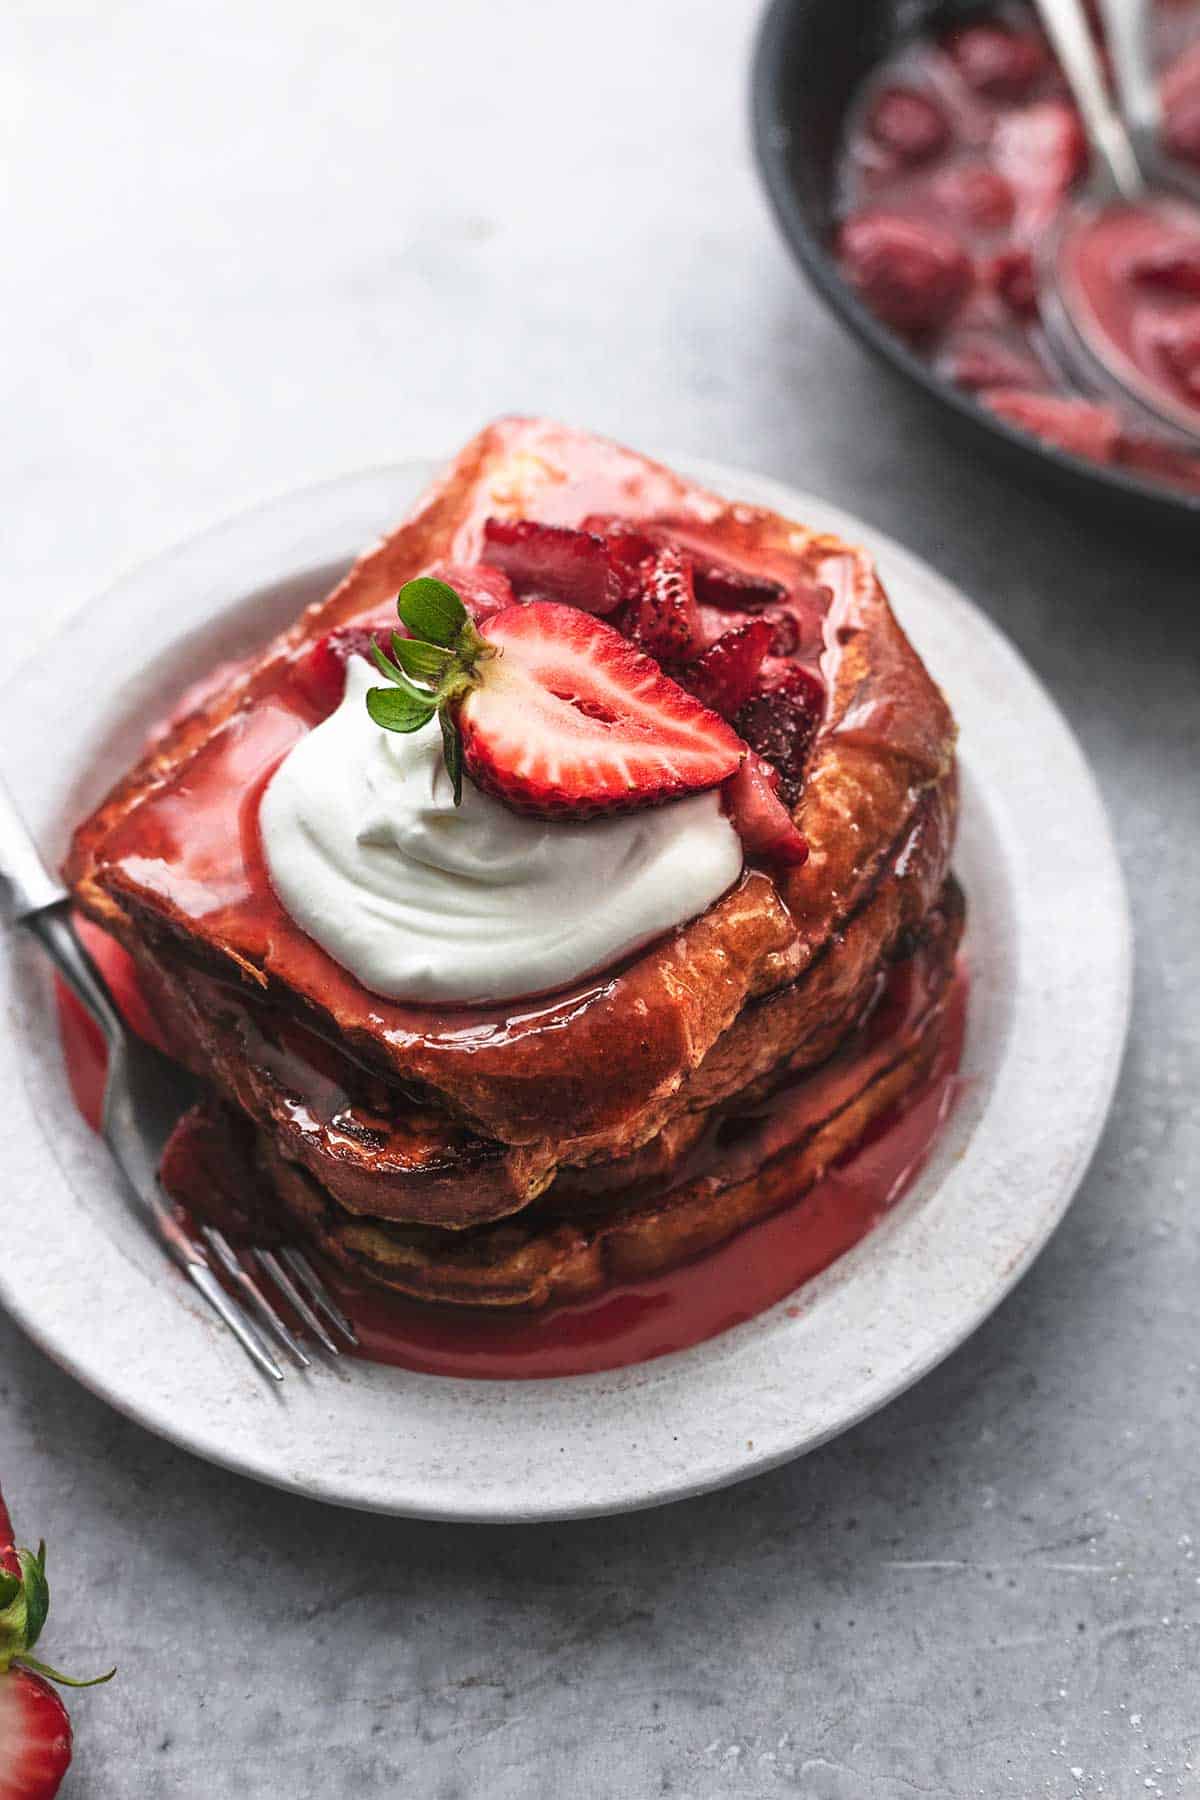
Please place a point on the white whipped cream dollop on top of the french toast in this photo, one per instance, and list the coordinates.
(433, 903)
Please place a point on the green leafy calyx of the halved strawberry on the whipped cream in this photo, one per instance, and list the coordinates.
(431, 670)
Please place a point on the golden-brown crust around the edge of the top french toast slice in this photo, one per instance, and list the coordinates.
(604, 1066)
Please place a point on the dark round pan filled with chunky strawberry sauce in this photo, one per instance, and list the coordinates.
(922, 163)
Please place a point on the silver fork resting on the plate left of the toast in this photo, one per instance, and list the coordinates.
(145, 1099)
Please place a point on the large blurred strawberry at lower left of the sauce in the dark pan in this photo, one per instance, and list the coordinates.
(913, 276)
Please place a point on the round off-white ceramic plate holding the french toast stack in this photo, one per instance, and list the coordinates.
(1050, 953)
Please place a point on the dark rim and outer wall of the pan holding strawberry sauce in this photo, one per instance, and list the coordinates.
(810, 58)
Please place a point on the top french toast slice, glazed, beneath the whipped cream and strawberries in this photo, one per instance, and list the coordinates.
(170, 865)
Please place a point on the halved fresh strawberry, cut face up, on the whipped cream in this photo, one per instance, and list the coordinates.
(571, 721)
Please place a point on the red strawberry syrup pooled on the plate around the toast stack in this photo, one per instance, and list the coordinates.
(627, 1322)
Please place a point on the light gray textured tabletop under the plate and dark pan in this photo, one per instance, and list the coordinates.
(256, 244)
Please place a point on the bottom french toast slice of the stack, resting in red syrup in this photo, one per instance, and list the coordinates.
(737, 1164)
